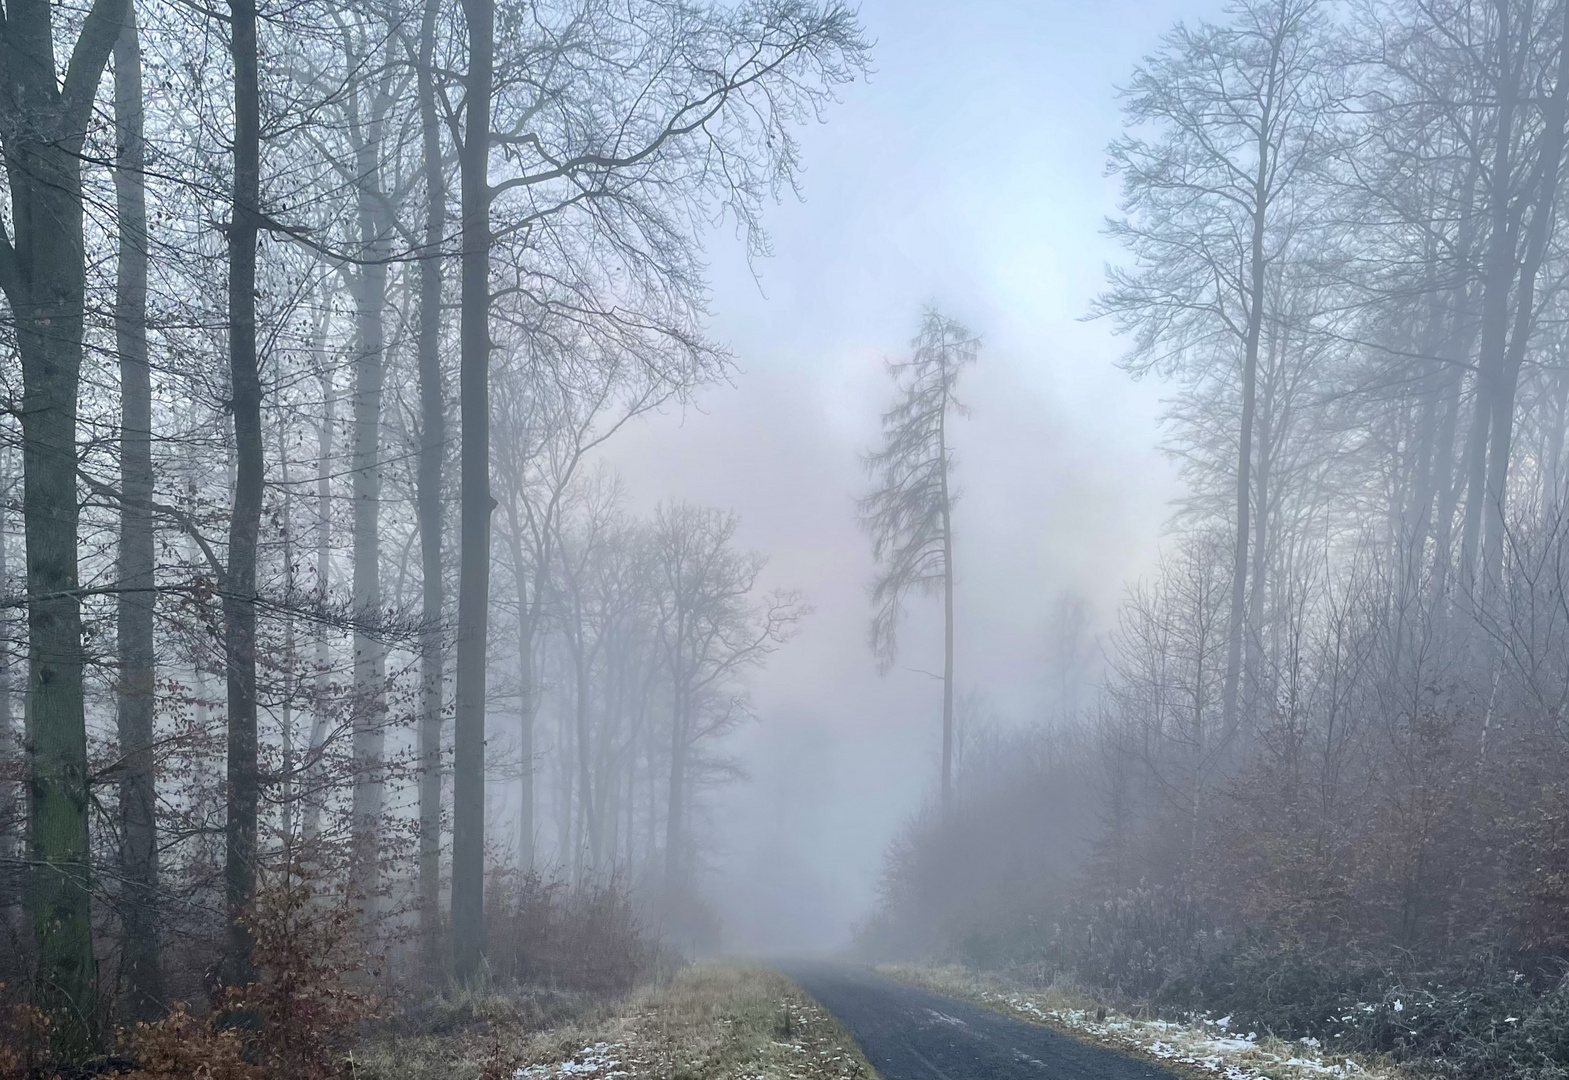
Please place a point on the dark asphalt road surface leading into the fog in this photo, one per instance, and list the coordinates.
(914, 1035)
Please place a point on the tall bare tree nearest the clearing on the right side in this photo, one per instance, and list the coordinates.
(1239, 114)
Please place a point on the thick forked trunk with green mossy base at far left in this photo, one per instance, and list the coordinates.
(43, 272)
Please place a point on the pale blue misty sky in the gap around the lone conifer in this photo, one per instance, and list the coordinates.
(969, 172)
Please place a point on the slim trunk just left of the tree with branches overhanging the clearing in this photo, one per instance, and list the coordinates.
(432, 450)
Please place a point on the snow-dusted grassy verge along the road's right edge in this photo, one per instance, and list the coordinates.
(1200, 1048)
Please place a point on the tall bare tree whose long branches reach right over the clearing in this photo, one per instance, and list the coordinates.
(699, 101)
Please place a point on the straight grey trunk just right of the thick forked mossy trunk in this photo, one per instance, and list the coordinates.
(139, 853)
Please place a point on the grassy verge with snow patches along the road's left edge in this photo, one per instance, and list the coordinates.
(708, 1023)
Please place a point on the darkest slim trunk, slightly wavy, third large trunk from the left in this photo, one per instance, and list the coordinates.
(239, 593)
